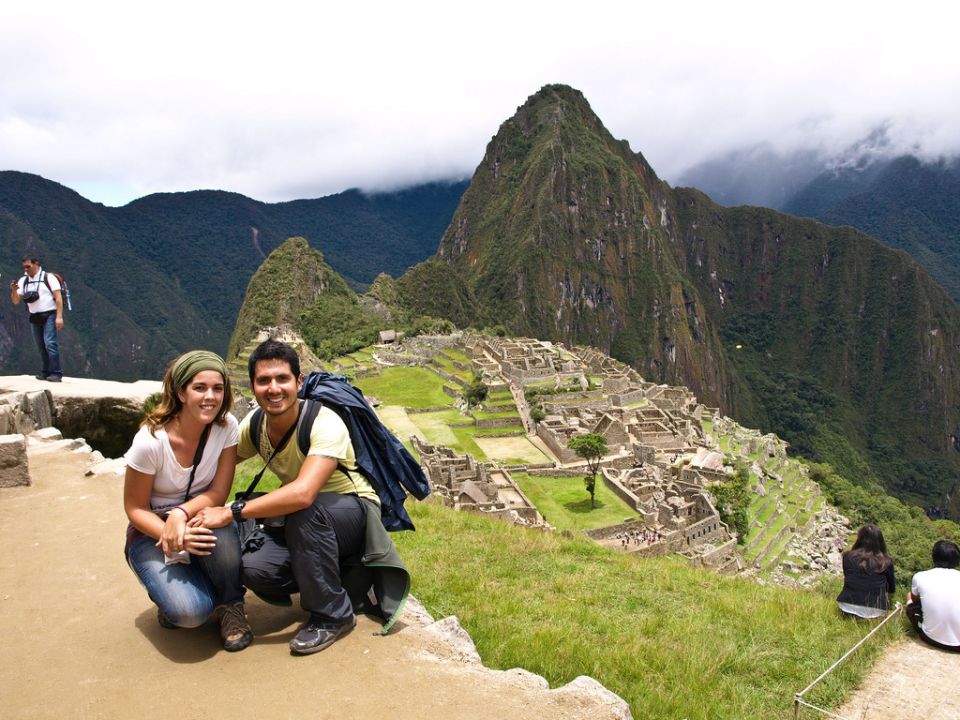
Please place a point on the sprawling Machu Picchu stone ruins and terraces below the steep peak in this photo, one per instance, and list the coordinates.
(665, 451)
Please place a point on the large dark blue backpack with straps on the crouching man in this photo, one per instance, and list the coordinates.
(381, 458)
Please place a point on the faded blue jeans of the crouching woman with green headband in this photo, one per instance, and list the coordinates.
(187, 594)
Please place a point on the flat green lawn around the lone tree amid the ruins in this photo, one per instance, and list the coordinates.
(566, 504)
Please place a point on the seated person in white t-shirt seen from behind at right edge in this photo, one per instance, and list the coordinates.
(933, 606)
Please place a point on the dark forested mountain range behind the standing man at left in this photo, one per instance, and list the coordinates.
(167, 272)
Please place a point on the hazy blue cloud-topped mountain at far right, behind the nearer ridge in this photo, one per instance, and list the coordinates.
(907, 204)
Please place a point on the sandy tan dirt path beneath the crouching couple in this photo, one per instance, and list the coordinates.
(80, 637)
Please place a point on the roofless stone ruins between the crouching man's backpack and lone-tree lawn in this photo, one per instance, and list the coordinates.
(465, 484)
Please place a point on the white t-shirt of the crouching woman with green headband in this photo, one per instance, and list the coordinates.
(151, 454)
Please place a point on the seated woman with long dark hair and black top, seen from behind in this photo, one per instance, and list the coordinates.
(867, 575)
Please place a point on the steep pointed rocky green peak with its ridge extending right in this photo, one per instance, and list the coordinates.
(840, 345)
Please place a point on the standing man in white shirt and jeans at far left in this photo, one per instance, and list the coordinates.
(41, 292)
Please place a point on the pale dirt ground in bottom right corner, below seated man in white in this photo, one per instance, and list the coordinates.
(911, 680)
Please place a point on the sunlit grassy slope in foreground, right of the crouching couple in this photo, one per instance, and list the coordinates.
(673, 641)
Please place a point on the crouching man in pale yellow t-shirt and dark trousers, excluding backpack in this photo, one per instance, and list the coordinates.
(331, 546)
